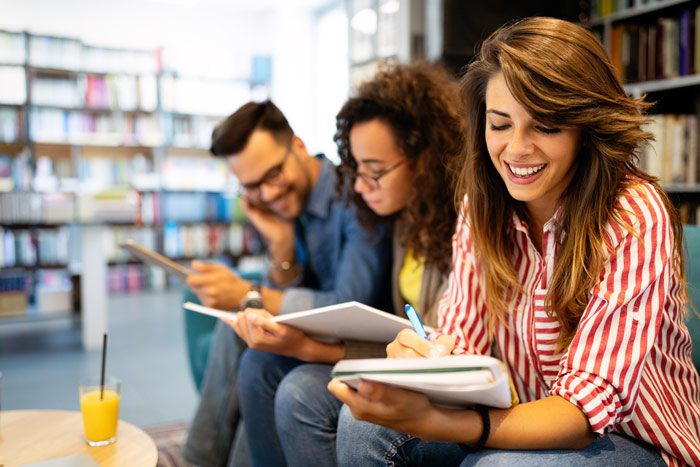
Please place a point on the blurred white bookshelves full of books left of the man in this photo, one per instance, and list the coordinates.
(98, 145)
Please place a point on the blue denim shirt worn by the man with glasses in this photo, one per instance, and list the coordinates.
(344, 262)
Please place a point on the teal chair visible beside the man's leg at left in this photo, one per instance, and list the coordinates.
(198, 333)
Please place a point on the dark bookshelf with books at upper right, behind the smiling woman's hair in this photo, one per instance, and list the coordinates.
(655, 49)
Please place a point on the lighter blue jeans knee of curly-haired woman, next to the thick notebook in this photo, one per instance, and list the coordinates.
(307, 416)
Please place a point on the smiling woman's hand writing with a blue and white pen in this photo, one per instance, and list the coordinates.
(415, 343)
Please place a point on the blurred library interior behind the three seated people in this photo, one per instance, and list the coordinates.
(106, 111)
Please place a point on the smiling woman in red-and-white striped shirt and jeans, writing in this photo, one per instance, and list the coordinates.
(567, 265)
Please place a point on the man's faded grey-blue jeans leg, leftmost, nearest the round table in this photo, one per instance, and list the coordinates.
(210, 441)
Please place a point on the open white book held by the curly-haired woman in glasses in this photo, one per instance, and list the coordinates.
(349, 320)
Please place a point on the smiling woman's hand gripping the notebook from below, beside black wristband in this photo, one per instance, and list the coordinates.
(401, 410)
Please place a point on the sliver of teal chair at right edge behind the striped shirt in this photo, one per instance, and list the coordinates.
(692, 244)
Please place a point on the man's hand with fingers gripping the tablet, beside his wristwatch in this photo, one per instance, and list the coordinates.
(217, 286)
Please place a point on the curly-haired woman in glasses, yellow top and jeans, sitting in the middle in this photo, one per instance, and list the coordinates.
(398, 140)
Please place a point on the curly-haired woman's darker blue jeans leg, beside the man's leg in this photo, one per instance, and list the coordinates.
(259, 375)
